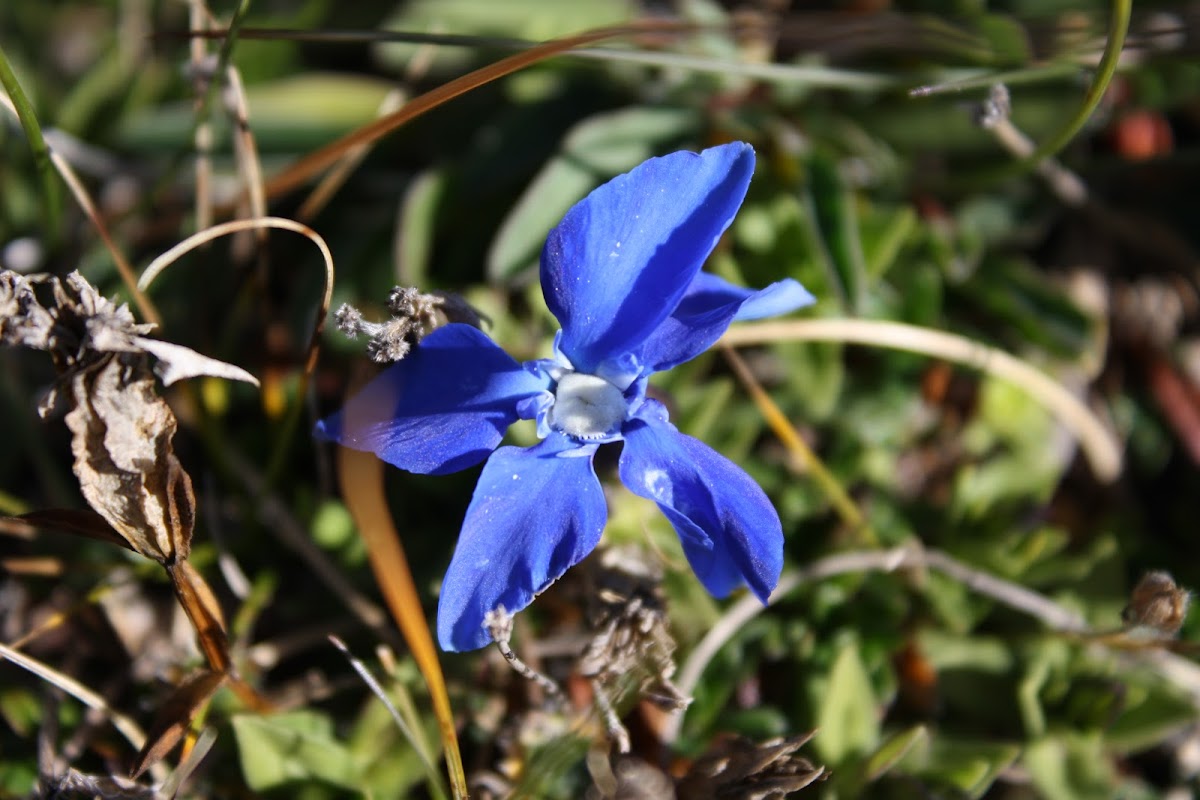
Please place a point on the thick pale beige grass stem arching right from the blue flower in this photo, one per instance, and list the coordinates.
(1100, 446)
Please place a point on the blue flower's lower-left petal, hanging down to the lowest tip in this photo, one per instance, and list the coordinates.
(536, 514)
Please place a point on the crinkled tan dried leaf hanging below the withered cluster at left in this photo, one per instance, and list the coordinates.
(124, 460)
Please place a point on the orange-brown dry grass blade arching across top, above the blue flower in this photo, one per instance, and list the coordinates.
(327, 157)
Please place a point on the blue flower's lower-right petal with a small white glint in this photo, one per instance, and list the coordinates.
(730, 531)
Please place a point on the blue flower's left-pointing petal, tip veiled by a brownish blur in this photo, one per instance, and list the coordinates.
(441, 410)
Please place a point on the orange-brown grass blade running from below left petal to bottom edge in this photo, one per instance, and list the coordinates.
(362, 479)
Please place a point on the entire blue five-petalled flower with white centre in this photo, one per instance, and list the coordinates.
(622, 273)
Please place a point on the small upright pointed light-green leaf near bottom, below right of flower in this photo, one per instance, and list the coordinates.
(848, 714)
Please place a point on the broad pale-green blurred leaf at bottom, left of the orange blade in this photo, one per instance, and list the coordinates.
(297, 747)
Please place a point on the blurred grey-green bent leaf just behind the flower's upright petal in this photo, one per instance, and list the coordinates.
(596, 151)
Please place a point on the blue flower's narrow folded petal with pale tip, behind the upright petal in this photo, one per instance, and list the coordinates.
(706, 312)
